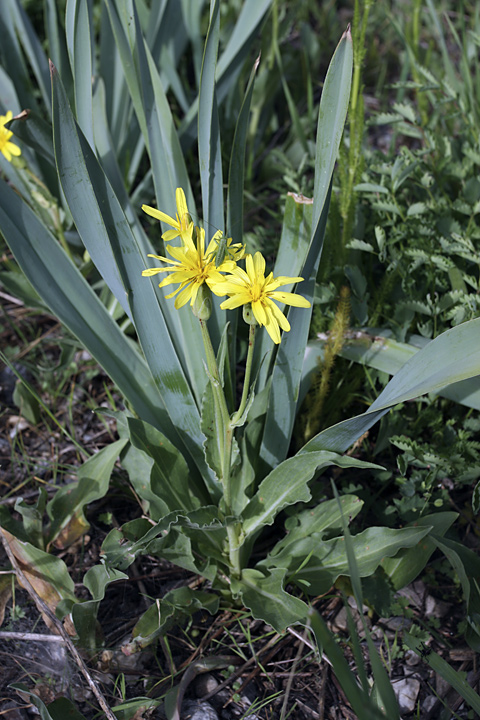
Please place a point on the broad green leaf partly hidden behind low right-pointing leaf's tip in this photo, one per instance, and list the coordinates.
(408, 564)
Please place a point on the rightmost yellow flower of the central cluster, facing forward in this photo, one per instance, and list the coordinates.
(252, 287)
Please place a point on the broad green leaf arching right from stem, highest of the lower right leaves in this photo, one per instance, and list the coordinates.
(288, 484)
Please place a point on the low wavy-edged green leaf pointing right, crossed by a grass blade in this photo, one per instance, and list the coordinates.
(329, 559)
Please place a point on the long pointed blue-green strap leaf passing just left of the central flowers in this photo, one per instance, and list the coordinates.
(105, 231)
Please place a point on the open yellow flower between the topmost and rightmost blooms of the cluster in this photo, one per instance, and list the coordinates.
(191, 267)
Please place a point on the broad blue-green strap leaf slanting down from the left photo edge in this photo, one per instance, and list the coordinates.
(70, 298)
